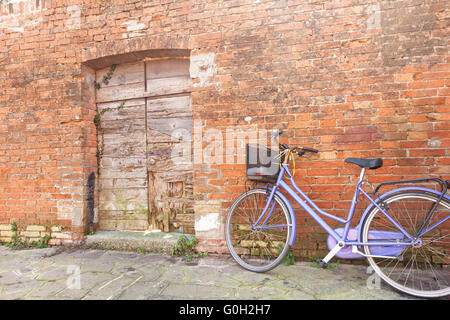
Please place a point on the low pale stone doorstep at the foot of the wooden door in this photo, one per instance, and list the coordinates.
(137, 241)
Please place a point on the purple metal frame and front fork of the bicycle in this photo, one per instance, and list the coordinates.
(313, 210)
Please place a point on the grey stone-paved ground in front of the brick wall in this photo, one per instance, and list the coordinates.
(63, 273)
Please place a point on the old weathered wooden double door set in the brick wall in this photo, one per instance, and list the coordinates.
(145, 120)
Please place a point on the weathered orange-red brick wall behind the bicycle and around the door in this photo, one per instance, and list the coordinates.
(350, 78)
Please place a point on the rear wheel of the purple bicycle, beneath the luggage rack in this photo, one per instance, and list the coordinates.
(422, 269)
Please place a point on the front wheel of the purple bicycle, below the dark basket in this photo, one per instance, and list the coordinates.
(261, 247)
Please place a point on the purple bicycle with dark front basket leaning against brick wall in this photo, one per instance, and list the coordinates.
(403, 233)
